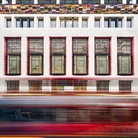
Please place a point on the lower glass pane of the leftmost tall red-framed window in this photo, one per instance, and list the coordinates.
(13, 65)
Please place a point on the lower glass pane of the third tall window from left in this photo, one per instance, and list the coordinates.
(58, 64)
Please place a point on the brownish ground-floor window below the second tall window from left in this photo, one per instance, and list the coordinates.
(34, 86)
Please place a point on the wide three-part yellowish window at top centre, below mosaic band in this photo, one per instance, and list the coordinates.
(69, 22)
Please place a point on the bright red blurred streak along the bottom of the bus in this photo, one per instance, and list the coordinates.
(124, 129)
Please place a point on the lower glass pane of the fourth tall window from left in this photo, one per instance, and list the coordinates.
(80, 66)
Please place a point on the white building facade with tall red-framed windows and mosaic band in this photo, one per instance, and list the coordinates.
(68, 46)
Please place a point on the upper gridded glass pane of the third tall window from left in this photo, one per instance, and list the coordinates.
(57, 45)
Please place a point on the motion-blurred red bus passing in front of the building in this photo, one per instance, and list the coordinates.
(69, 116)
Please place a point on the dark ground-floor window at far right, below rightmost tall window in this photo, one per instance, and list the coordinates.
(125, 86)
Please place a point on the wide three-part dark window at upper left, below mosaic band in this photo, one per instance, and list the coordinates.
(24, 22)
